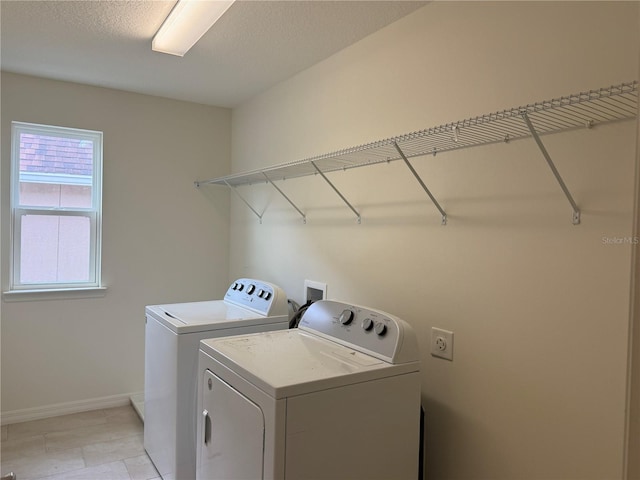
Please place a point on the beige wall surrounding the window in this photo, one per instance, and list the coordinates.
(163, 239)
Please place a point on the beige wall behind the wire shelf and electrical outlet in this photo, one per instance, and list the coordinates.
(539, 307)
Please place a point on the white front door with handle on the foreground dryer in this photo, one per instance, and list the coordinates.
(232, 440)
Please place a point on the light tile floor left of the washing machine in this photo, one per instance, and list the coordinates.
(97, 445)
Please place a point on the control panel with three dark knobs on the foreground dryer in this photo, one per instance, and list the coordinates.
(367, 330)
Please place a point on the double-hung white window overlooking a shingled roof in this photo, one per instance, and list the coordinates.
(56, 197)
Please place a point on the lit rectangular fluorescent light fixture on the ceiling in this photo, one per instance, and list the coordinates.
(186, 24)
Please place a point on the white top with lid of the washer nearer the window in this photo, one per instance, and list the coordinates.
(208, 315)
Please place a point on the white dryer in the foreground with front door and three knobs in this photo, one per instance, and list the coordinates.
(337, 398)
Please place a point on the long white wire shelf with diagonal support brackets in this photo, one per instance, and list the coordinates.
(580, 110)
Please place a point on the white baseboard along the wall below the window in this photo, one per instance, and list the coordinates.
(38, 413)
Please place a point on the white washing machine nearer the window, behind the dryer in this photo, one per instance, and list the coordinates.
(172, 335)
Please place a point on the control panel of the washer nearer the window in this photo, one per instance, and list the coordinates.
(257, 295)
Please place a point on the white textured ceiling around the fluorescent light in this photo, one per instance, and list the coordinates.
(255, 45)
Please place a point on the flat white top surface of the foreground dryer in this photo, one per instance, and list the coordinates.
(294, 362)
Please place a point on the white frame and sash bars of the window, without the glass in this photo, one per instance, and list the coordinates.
(94, 213)
